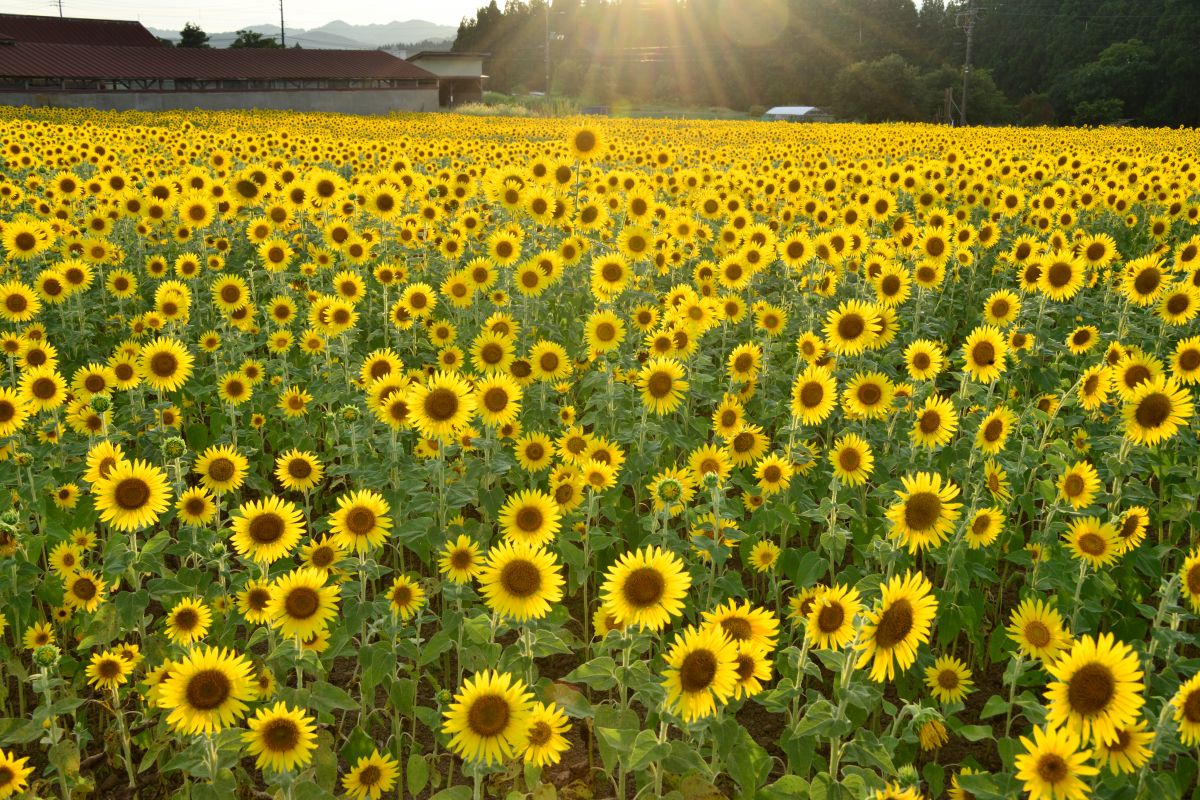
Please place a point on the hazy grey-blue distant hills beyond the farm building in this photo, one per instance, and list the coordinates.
(339, 35)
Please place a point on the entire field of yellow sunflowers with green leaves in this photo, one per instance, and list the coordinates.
(460, 458)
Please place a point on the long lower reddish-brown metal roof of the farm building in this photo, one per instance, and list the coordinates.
(77, 62)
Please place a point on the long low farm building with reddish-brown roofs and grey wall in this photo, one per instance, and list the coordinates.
(122, 67)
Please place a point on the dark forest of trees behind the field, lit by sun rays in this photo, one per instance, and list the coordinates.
(1036, 62)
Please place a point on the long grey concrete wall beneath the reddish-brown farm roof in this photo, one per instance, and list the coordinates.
(345, 101)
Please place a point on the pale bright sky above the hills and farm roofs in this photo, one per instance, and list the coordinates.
(217, 16)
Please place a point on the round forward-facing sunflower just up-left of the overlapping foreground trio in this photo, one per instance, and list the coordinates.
(646, 588)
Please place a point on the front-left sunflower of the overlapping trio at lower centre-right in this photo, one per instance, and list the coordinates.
(703, 671)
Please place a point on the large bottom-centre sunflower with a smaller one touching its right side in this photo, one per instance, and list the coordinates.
(489, 720)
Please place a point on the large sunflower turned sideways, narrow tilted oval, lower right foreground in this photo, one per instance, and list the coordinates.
(892, 635)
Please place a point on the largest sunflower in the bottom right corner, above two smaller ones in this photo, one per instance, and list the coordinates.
(1097, 689)
